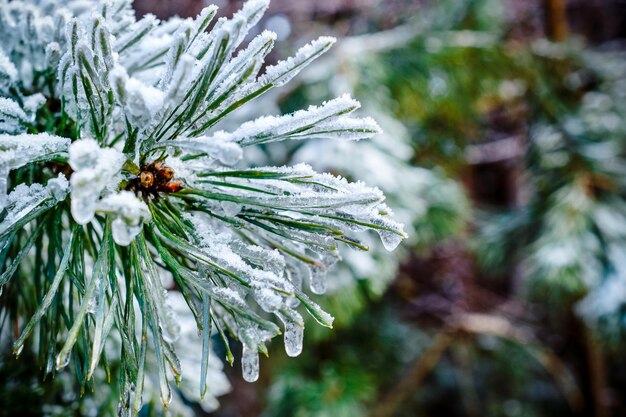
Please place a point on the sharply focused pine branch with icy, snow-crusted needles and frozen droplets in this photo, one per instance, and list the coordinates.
(112, 176)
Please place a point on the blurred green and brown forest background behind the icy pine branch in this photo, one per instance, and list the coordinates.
(504, 153)
